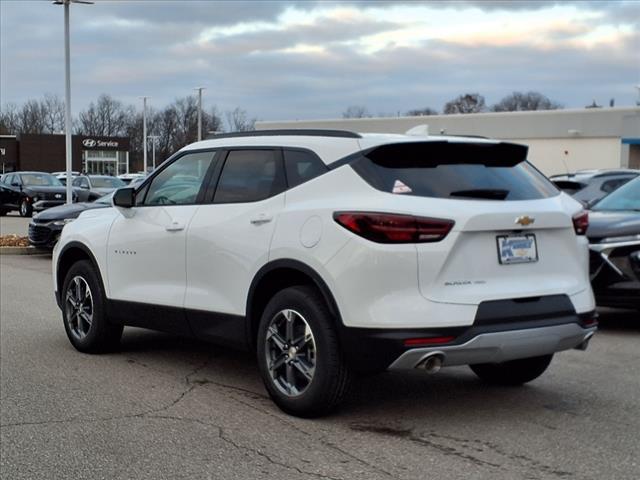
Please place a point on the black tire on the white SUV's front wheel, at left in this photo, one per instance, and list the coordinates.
(100, 335)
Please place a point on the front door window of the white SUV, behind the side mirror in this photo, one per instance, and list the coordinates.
(180, 182)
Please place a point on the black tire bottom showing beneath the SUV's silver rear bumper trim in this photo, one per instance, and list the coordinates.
(514, 372)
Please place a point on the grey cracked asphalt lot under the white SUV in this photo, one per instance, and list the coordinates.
(168, 407)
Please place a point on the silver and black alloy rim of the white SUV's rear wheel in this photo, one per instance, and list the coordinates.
(290, 350)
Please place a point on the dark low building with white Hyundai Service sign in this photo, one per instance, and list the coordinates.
(46, 153)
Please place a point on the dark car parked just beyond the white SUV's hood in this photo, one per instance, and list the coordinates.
(45, 227)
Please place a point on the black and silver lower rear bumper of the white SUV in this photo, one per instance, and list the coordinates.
(502, 330)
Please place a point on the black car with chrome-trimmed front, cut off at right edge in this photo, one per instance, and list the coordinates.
(614, 243)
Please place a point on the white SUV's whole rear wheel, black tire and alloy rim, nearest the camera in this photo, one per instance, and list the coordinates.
(299, 356)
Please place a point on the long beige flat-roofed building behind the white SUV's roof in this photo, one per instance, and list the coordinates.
(559, 141)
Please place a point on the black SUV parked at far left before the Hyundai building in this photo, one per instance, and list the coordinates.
(31, 191)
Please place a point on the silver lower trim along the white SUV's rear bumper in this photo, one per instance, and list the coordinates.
(501, 346)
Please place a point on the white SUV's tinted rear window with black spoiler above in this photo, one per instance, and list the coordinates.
(454, 170)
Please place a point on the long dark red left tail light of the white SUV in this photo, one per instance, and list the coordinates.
(393, 228)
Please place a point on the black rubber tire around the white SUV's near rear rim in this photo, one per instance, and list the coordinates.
(330, 379)
